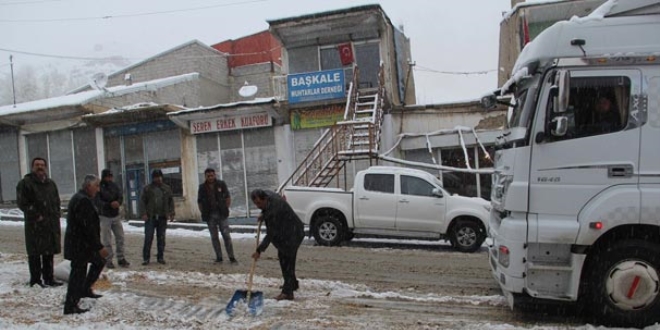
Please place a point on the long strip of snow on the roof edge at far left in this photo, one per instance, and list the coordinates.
(88, 96)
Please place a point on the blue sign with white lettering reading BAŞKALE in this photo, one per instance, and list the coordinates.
(315, 86)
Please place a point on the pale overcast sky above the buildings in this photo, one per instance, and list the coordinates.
(446, 35)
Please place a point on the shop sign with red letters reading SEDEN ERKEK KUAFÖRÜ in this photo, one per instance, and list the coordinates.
(229, 123)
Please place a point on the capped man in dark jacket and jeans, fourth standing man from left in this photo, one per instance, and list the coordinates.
(156, 206)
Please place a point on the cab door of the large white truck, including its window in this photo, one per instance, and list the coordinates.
(599, 152)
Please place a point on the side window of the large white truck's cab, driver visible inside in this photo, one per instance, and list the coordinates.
(597, 105)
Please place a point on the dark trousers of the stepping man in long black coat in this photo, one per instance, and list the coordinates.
(81, 281)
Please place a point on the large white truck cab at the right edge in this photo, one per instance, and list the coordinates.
(576, 189)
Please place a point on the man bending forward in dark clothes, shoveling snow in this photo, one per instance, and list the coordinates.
(285, 230)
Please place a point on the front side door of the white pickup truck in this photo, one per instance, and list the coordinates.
(417, 208)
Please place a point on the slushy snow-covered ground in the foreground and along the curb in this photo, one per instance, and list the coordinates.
(130, 303)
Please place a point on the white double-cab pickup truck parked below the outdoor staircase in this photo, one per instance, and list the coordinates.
(391, 202)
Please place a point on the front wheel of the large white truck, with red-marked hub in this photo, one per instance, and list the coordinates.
(623, 288)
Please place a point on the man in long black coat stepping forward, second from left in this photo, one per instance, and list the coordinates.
(82, 245)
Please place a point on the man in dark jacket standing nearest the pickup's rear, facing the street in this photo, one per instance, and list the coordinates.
(214, 200)
